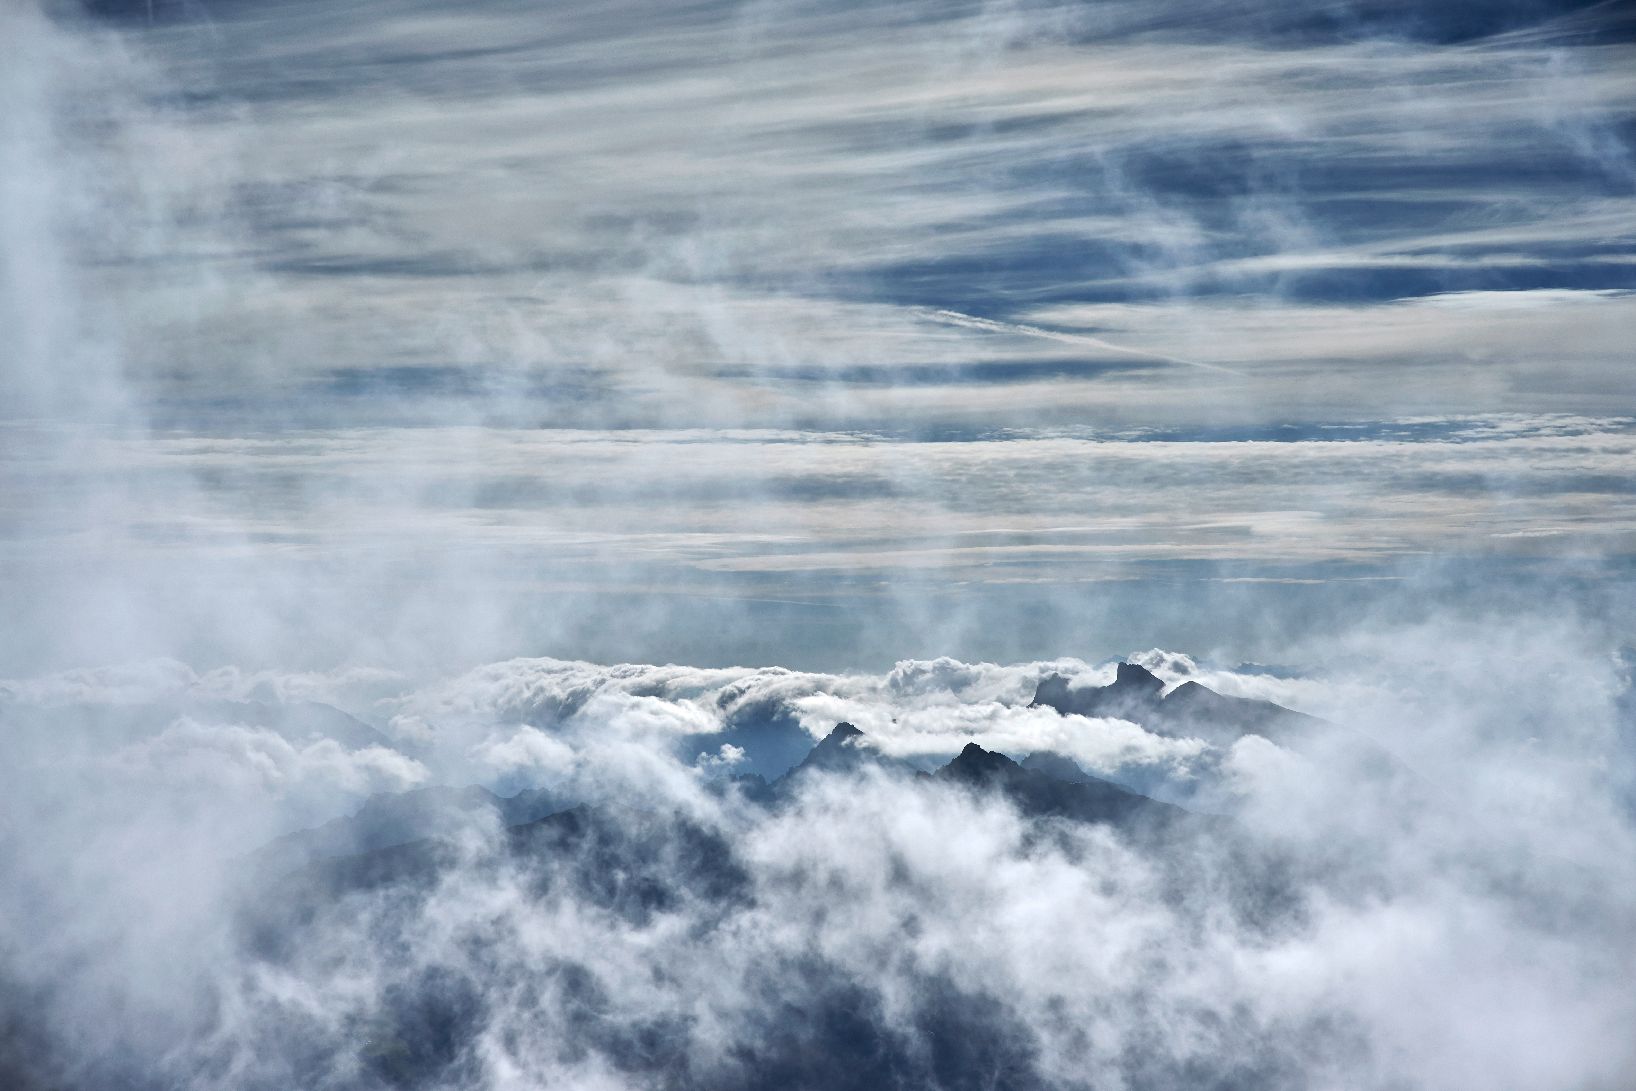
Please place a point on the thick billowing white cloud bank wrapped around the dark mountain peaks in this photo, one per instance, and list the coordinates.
(1414, 927)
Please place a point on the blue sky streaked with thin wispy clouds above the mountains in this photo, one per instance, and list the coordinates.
(809, 334)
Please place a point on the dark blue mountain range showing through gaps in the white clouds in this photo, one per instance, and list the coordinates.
(403, 856)
